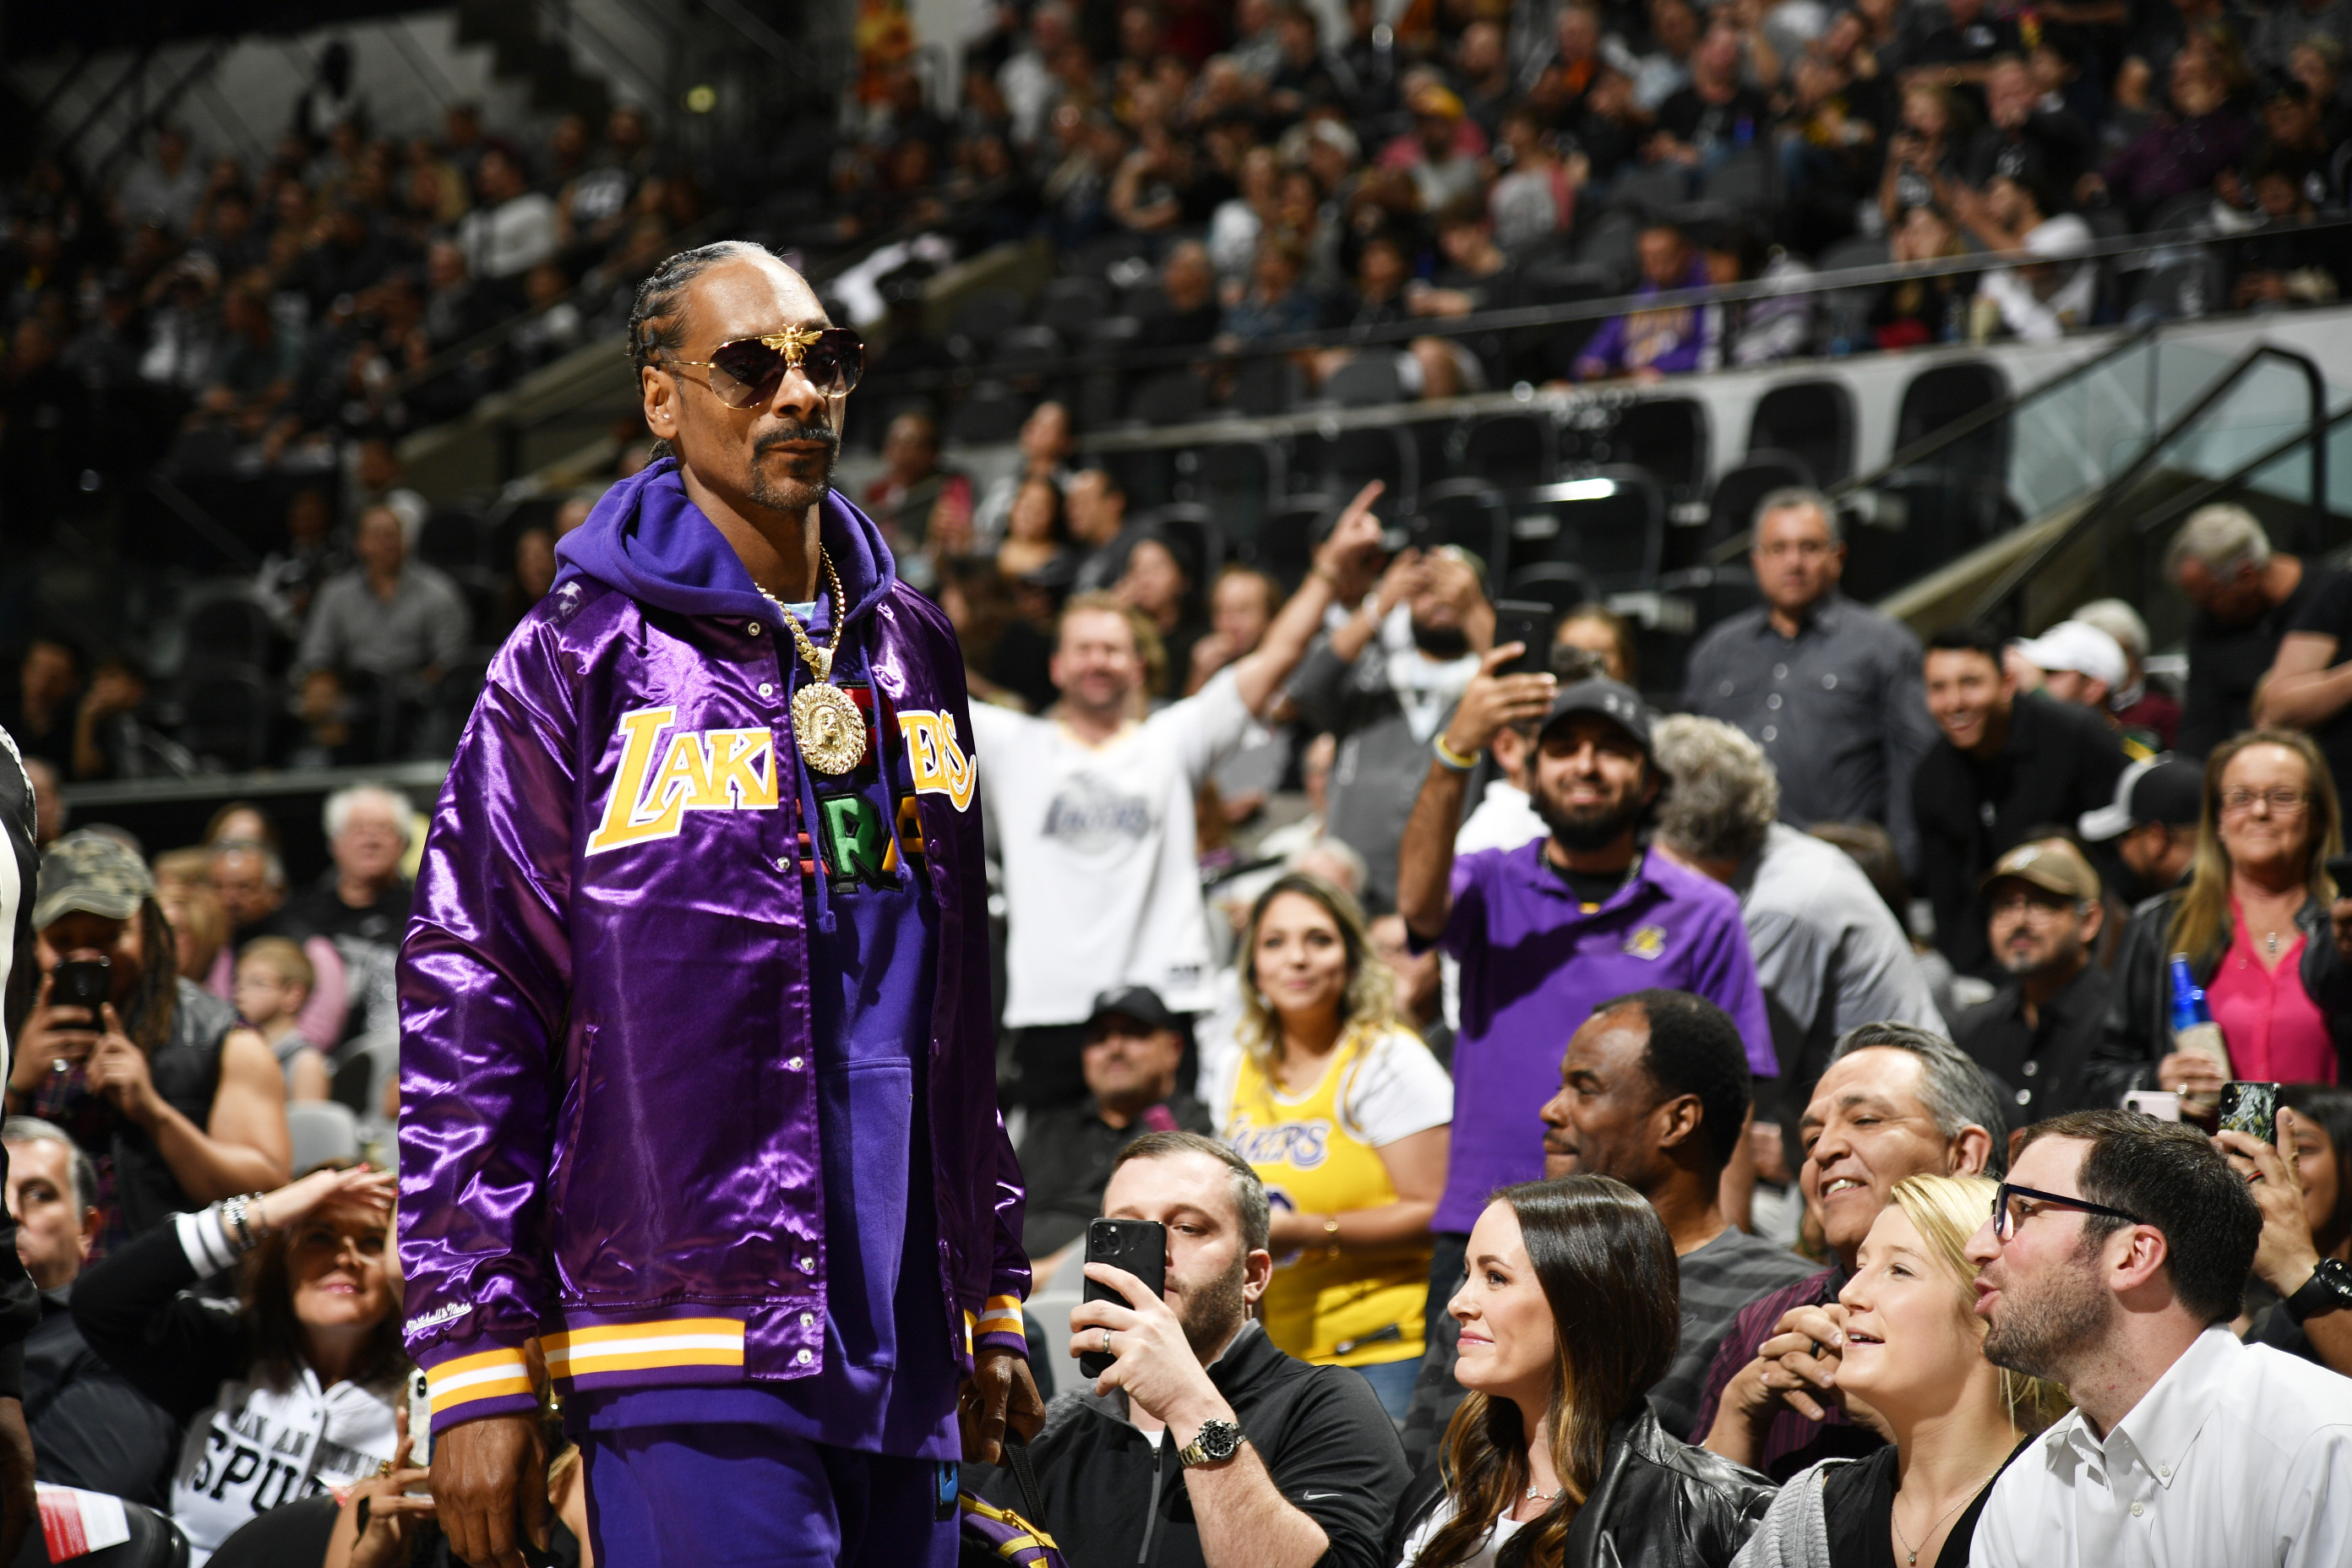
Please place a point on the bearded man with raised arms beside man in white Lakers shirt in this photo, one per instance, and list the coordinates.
(1384, 685)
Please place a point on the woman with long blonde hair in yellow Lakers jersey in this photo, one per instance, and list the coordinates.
(1344, 1115)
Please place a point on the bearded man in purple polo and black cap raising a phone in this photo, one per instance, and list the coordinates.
(1558, 927)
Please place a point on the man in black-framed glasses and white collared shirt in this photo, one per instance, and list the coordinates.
(2113, 1266)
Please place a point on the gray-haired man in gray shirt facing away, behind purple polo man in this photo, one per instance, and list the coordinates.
(1826, 946)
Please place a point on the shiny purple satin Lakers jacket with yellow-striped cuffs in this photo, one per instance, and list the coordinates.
(608, 1104)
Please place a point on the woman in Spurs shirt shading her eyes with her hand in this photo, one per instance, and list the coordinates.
(293, 1391)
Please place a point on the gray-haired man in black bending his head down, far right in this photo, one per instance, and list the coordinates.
(2247, 598)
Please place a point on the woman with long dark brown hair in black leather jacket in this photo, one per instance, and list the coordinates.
(1570, 1313)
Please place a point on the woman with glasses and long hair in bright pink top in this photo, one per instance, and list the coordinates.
(2264, 930)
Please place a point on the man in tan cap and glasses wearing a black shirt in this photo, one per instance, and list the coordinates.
(2038, 1031)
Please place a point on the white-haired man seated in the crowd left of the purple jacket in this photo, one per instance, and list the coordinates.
(363, 902)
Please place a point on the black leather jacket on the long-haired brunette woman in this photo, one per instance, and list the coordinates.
(1659, 1506)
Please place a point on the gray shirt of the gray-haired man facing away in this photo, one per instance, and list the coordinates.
(1829, 951)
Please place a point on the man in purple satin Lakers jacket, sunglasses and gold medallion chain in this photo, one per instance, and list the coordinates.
(697, 1071)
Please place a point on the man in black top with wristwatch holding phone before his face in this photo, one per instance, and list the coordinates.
(1205, 1447)
